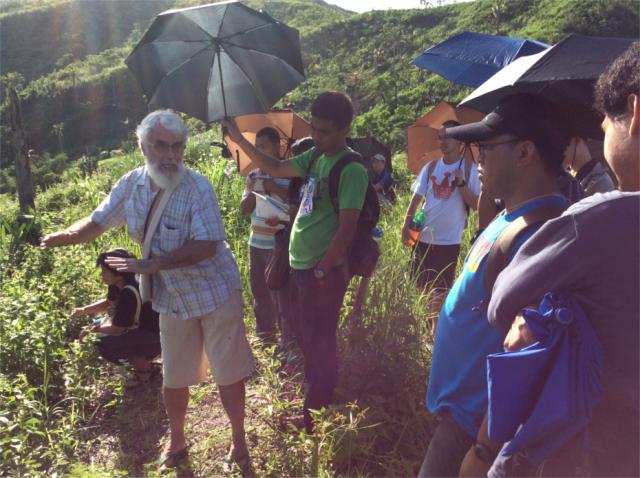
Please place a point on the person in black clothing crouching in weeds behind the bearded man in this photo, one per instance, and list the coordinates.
(130, 330)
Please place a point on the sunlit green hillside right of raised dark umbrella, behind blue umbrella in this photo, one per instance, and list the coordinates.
(368, 56)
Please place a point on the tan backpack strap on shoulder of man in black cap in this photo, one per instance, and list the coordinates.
(501, 250)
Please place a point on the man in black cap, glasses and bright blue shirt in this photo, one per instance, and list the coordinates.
(521, 145)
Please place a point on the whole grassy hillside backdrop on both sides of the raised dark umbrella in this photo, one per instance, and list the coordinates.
(85, 89)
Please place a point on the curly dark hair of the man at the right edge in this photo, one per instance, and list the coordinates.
(620, 80)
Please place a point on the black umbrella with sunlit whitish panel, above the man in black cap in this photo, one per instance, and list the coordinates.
(565, 74)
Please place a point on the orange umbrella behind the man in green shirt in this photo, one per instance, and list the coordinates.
(286, 122)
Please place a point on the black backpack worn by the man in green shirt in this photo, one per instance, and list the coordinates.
(363, 252)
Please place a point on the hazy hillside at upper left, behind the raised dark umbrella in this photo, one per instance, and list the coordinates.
(74, 73)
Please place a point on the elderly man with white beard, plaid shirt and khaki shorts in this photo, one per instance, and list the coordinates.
(194, 280)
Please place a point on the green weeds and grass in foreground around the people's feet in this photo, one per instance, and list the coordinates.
(64, 411)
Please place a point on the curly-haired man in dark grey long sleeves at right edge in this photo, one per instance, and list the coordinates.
(593, 252)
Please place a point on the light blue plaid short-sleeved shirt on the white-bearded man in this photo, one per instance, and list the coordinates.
(191, 213)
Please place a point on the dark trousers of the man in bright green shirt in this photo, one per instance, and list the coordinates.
(317, 308)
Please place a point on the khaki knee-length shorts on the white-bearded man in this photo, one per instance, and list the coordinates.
(217, 339)
